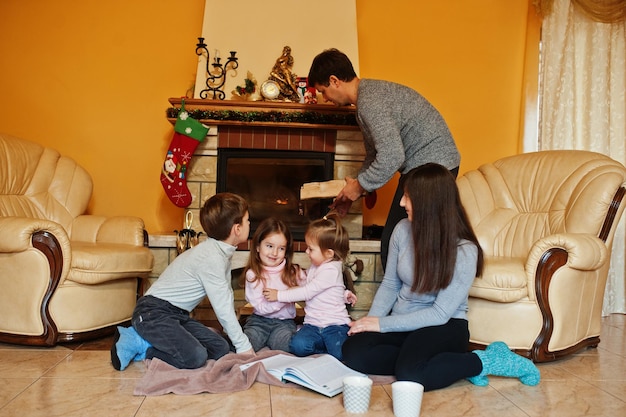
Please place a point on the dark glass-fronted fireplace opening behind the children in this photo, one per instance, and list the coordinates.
(270, 181)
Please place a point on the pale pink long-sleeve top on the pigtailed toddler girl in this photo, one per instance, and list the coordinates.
(324, 293)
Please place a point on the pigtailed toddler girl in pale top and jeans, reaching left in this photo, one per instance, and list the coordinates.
(326, 316)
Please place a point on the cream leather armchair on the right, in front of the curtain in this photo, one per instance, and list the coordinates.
(546, 222)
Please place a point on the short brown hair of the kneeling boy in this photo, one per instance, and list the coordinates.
(220, 212)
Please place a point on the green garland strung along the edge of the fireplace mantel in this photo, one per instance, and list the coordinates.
(273, 116)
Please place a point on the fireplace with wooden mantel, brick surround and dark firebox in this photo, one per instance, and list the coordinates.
(283, 135)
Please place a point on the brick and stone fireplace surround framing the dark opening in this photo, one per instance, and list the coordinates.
(344, 141)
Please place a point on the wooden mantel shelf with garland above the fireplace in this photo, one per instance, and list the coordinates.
(266, 113)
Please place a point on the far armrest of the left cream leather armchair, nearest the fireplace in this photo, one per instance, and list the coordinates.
(127, 230)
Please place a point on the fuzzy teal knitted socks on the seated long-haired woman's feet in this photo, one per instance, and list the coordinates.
(499, 360)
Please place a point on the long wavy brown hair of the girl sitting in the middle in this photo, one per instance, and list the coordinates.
(266, 228)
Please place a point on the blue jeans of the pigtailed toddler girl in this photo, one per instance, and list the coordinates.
(310, 340)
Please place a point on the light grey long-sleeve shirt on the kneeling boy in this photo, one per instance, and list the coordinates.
(203, 271)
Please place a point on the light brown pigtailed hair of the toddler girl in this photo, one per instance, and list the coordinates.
(328, 233)
